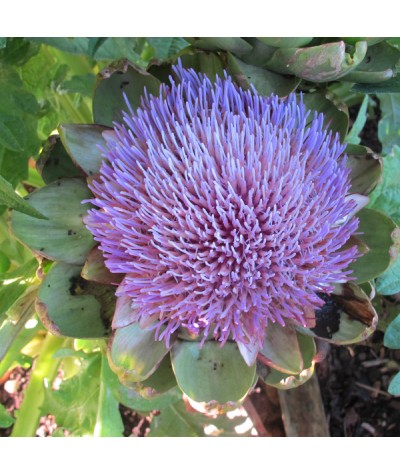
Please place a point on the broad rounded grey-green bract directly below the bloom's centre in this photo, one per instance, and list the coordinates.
(211, 373)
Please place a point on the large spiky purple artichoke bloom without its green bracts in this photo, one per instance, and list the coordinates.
(224, 209)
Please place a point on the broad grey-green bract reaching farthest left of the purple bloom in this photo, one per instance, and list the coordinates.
(63, 236)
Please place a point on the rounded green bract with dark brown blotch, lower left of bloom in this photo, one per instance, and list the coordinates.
(70, 306)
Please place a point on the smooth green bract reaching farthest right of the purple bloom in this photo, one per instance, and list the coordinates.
(379, 234)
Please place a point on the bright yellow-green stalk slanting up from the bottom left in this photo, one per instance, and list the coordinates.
(44, 371)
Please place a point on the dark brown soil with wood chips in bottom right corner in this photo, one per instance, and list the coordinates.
(354, 382)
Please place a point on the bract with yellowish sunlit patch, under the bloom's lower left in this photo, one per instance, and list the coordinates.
(135, 353)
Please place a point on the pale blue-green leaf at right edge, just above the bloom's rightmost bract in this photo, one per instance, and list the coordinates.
(386, 196)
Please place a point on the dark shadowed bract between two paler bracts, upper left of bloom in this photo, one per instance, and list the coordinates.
(55, 163)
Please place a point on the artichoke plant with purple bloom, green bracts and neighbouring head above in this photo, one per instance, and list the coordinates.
(212, 223)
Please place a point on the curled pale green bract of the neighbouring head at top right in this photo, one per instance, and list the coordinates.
(326, 62)
